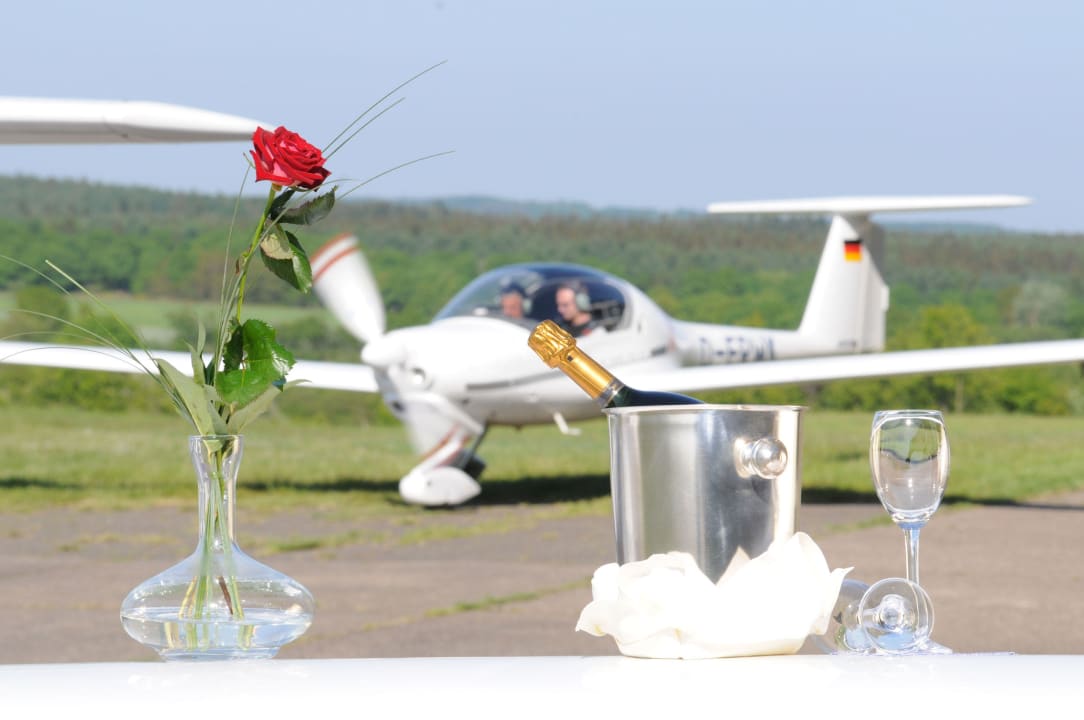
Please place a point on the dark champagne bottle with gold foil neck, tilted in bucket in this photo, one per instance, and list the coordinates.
(559, 350)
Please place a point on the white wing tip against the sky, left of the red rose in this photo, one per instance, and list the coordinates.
(47, 121)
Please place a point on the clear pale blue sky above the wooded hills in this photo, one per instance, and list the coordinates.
(613, 104)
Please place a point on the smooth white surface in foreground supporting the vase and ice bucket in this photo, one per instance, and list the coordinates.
(799, 686)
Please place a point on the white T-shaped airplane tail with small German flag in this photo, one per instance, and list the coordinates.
(849, 300)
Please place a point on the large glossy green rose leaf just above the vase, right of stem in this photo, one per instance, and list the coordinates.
(254, 363)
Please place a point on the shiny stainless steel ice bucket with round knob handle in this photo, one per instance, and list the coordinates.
(705, 480)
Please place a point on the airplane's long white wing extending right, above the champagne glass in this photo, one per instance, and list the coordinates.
(848, 367)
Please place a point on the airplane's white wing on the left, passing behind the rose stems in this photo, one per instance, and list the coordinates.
(318, 375)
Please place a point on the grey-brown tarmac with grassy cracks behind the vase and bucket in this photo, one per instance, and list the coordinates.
(511, 580)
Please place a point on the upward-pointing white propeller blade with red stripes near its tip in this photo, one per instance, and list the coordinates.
(345, 285)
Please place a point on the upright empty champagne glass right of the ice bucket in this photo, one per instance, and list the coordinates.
(909, 458)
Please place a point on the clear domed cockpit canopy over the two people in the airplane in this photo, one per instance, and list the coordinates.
(537, 285)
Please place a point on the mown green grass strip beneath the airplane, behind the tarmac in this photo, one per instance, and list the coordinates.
(63, 457)
